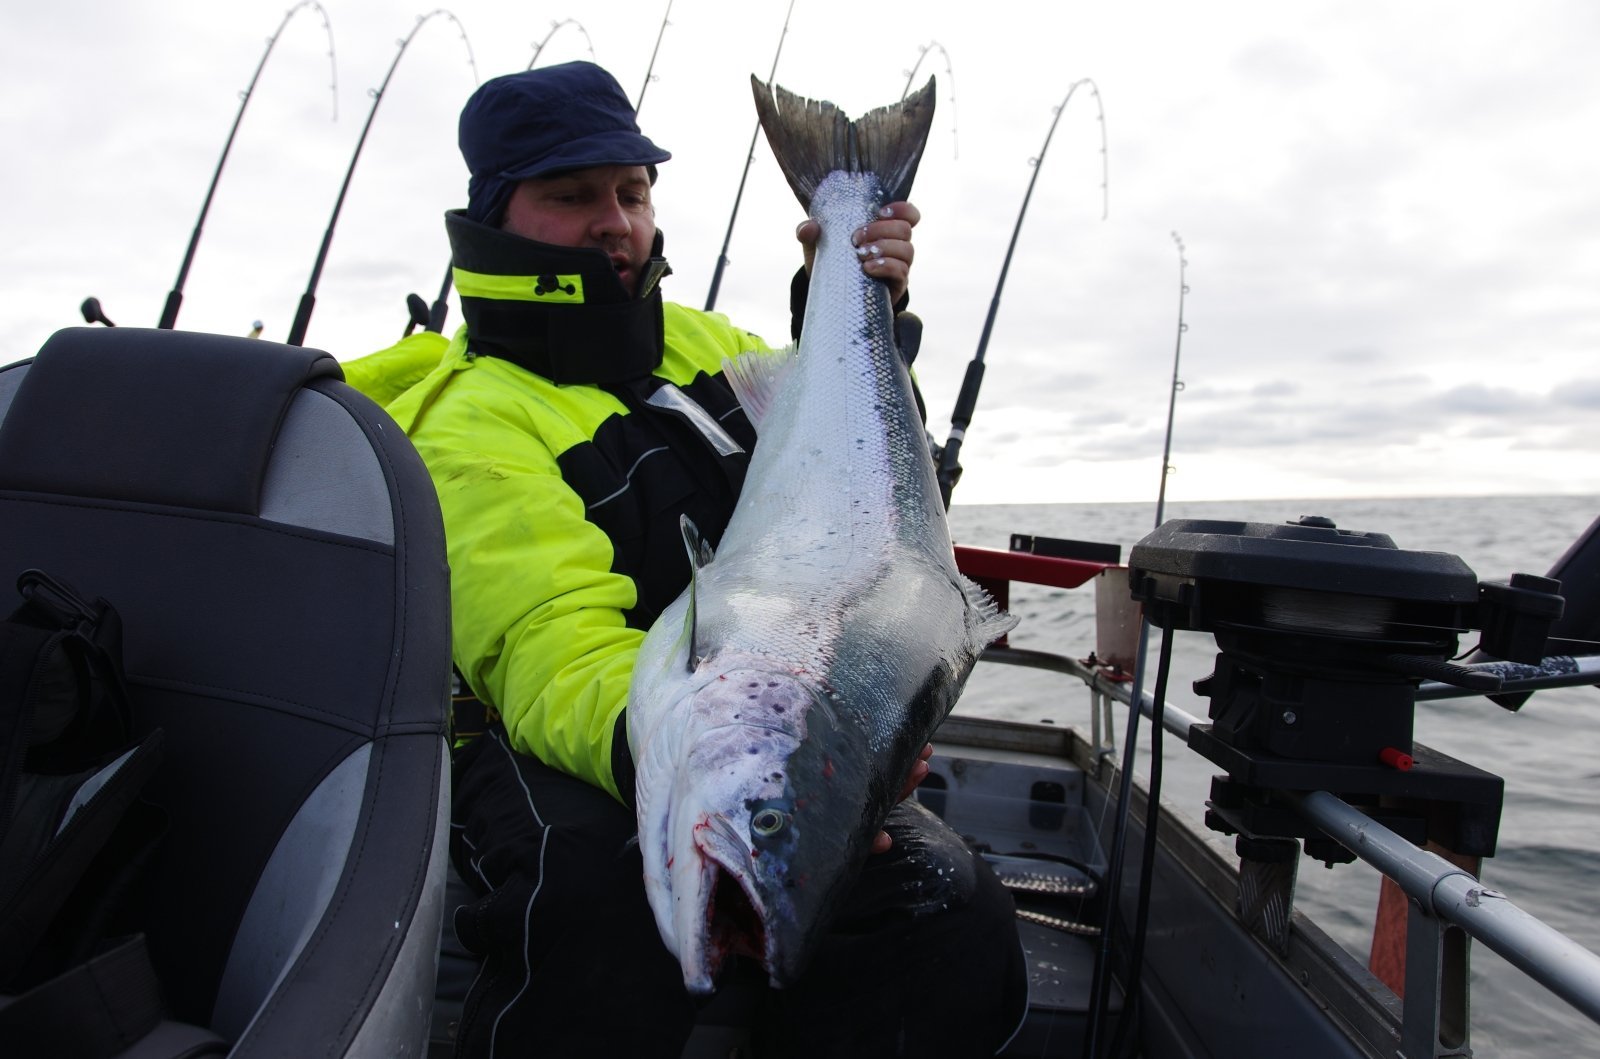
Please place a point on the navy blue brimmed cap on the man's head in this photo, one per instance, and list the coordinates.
(545, 122)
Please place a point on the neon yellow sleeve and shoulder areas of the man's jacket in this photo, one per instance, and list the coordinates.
(546, 617)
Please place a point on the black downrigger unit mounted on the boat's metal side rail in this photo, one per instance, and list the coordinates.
(1324, 636)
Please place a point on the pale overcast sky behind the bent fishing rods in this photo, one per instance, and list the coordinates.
(1391, 210)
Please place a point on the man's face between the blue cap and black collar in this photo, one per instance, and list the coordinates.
(606, 207)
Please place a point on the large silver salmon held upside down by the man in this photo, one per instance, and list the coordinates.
(780, 703)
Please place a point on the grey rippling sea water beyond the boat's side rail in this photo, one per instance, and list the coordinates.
(1548, 753)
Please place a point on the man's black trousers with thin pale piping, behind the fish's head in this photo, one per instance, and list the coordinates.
(922, 961)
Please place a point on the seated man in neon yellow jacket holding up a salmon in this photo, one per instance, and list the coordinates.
(570, 425)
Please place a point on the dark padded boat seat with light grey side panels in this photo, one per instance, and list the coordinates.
(274, 548)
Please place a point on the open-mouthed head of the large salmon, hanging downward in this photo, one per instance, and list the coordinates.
(766, 826)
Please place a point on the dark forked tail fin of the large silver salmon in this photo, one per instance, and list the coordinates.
(814, 138)
